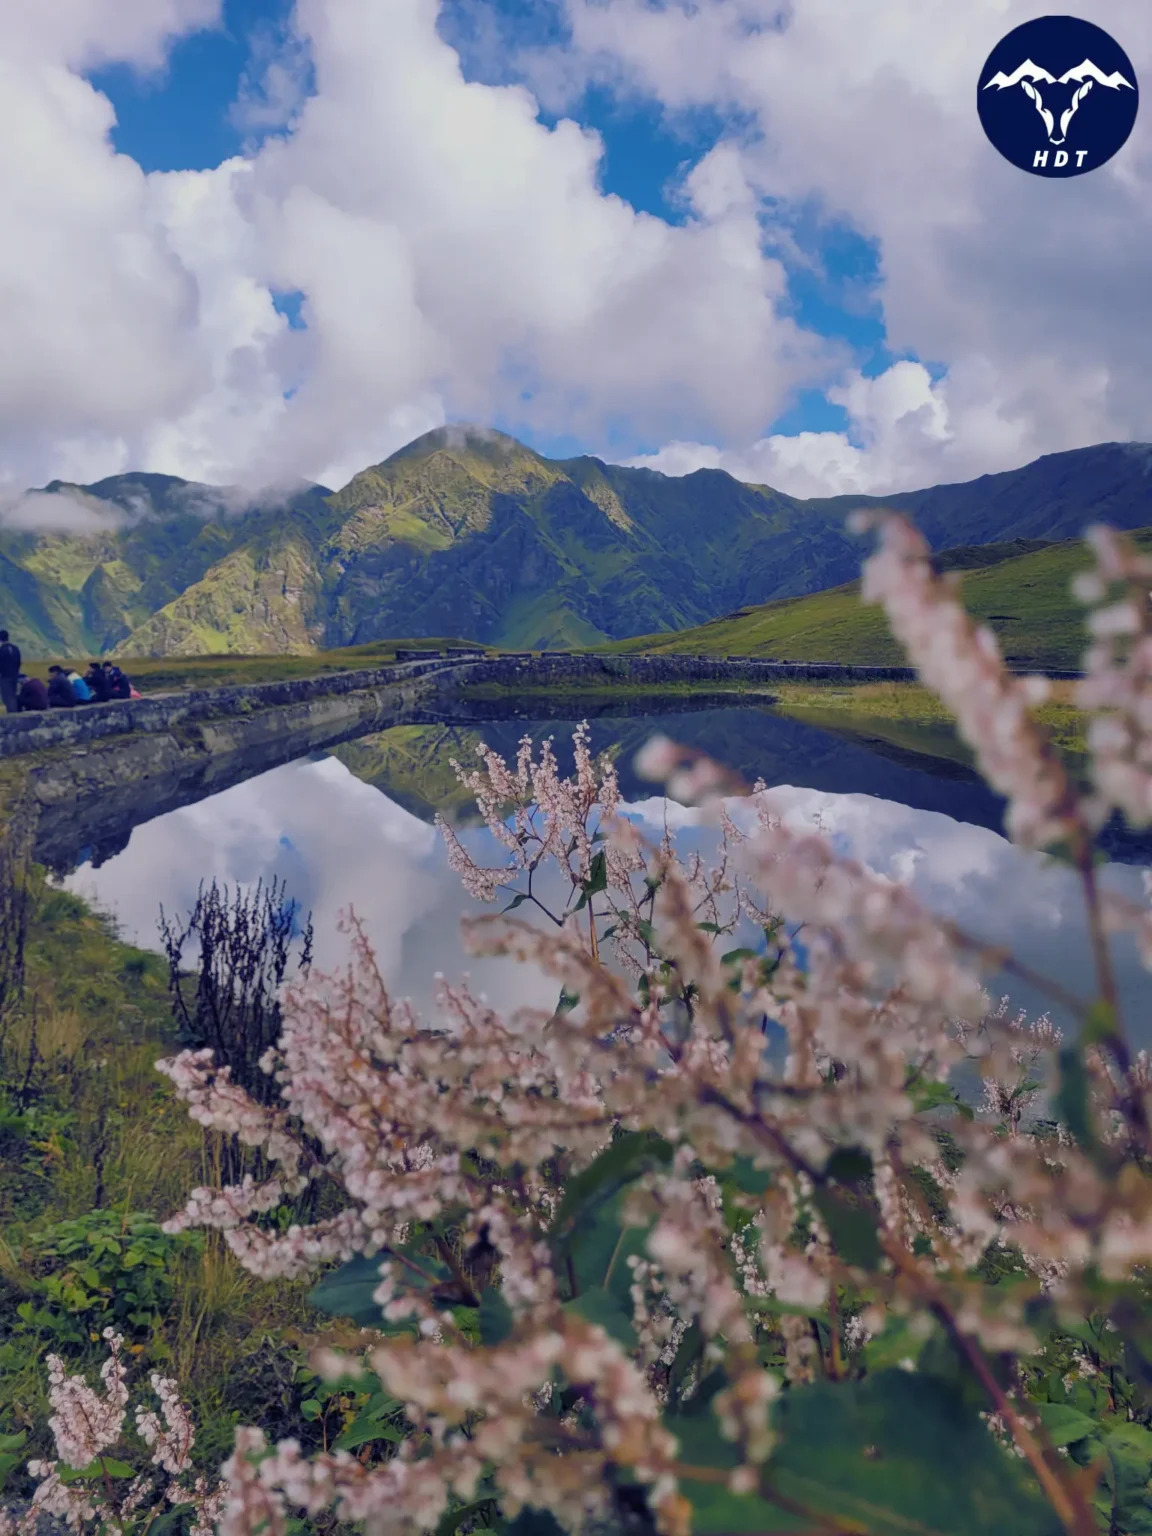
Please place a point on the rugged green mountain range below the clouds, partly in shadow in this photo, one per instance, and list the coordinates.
(469, 532)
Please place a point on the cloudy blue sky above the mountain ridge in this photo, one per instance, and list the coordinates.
(256, 240)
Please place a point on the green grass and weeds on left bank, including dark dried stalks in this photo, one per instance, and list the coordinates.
(96, 1153)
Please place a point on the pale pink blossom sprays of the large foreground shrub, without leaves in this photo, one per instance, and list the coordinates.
(475, 1125)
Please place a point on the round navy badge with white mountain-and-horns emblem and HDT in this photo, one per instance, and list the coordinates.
(1058, 96)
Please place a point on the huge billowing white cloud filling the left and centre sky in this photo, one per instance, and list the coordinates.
(454, 253)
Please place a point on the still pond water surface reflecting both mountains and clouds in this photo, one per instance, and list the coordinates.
(354, 830)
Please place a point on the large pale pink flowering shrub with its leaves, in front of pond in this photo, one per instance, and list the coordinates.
(721, 1243)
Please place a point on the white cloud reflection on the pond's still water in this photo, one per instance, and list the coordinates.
(342, 844)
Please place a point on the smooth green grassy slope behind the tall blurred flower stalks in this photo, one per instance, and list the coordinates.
(1021, 589)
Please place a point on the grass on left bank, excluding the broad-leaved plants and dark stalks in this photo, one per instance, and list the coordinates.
(87, 1124)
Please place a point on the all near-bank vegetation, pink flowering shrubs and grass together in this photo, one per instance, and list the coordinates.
(715, 1245)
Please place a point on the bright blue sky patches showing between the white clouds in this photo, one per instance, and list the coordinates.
(184, 119)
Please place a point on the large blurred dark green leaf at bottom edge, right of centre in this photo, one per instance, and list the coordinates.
(904, 1455)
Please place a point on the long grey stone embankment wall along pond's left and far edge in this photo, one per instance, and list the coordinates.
(111, 767)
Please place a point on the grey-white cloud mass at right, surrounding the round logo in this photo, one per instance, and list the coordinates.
(1033, 294)
